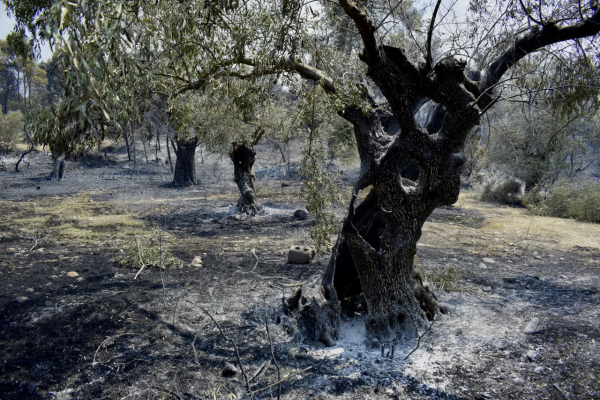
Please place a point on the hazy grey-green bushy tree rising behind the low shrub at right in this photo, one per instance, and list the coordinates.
(539, 145)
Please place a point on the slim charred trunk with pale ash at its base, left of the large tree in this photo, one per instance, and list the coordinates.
(243, 156)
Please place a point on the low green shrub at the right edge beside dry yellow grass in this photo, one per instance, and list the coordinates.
(566, 199)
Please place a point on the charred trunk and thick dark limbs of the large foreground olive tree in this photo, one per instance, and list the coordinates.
(374, 255)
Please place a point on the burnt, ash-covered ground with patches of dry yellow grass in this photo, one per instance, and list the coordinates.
(73, 324)
